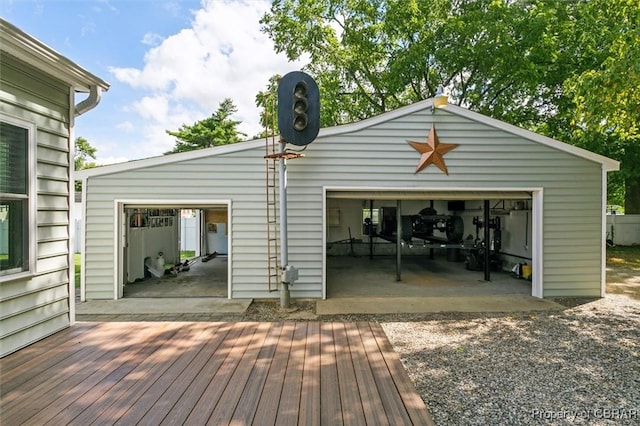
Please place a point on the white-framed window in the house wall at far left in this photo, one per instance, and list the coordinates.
(17, 237)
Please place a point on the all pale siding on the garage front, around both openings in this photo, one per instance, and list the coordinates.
(375, 157)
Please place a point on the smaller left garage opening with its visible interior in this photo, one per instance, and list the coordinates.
(174, 251)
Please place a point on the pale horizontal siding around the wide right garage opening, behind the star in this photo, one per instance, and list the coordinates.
(487, 158)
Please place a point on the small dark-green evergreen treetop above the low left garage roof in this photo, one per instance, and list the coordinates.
(219, 129)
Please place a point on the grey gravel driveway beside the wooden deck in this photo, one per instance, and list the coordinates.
(581, 366)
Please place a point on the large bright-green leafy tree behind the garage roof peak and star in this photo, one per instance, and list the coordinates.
(373, 56)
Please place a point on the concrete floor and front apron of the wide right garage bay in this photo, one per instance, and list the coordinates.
(358, 285)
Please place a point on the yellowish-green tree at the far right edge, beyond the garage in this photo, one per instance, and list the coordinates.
(607, 96)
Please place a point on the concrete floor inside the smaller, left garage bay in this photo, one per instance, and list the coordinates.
(203, 279)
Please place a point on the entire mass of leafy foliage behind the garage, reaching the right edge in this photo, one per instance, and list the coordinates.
(542, 65)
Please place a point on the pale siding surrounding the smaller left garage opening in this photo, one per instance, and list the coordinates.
(206, 180)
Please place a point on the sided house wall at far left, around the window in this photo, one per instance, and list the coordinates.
(39, 306)
